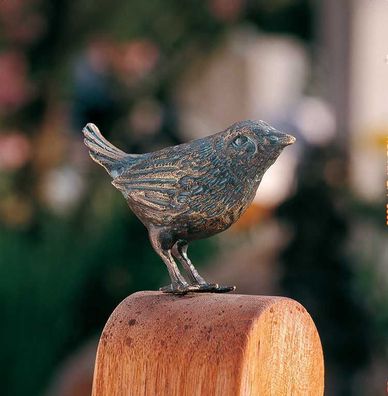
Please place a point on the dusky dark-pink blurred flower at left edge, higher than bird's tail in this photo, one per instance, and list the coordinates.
(15, 88)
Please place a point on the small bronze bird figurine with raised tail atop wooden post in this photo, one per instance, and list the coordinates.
(192, 190)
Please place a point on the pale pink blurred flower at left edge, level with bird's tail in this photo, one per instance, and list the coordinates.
(15, 151)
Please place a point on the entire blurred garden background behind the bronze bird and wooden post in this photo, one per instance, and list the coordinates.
(157, 73)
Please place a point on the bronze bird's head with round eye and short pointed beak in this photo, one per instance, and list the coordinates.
(255, 144)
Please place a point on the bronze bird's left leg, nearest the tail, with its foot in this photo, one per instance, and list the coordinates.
(178, 282)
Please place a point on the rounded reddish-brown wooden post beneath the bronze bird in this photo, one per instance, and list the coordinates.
(208, 344)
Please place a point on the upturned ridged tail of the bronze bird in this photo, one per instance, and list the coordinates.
(102, 151)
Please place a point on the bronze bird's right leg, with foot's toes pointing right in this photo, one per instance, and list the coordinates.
(197, 283)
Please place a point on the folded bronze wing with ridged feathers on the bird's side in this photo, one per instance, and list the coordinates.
(185, 179)
